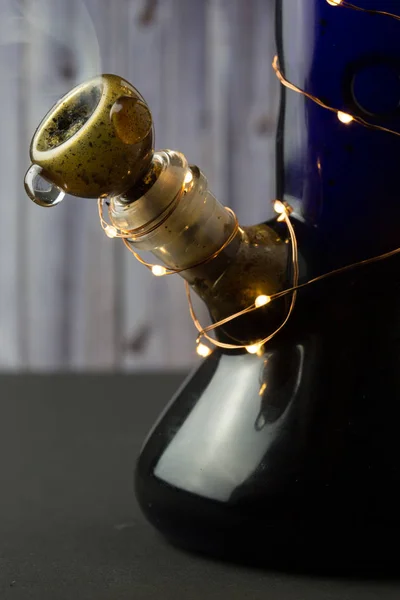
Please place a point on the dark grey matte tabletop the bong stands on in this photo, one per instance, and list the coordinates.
(69, 525)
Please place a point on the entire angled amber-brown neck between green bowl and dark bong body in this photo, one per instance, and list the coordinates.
(180, 222)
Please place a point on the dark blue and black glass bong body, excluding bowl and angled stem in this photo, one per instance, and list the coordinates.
(292, 458)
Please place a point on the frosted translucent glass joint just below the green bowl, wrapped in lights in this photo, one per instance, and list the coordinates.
(177, 218)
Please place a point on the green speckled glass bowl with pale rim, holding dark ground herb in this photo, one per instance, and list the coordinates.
(97, 140)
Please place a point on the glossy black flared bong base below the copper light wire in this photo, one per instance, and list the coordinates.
(293, 457)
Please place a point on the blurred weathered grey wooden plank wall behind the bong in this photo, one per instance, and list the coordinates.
(69, 297)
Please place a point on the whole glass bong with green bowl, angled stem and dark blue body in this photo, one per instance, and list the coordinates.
(287, 455)
